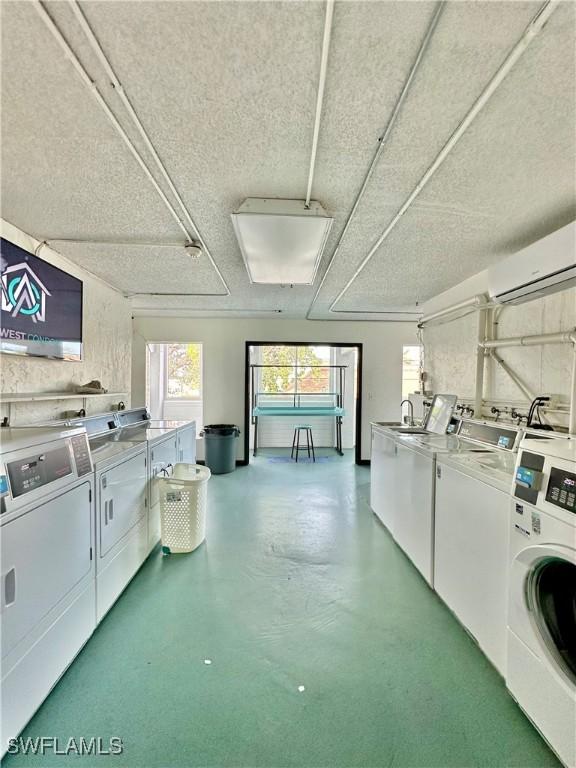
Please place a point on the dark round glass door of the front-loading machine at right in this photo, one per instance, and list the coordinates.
(553, 592)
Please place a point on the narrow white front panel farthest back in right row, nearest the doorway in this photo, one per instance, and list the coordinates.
(383, 478)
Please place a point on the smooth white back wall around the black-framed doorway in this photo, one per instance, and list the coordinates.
(224, 350)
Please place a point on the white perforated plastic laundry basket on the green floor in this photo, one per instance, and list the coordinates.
(183, 507)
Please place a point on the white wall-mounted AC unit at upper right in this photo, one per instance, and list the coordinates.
(546, 266)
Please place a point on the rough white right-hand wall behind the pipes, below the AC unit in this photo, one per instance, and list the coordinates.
(449, 348)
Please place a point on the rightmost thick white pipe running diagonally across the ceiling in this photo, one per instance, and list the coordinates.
(531, 31)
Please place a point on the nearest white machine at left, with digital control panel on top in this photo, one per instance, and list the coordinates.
(47, 573)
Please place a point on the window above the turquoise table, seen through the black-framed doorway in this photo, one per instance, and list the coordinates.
(295, 369)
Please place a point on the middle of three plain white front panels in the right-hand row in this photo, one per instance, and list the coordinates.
(414, 508)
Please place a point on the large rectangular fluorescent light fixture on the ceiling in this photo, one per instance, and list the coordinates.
(281, 240)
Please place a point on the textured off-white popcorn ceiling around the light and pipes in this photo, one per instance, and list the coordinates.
(226, 92)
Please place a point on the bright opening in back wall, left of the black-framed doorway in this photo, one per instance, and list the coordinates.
(174, 382)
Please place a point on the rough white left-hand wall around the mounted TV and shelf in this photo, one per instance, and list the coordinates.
(107, 337)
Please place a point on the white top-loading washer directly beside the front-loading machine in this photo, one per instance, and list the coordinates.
(471, 540)
